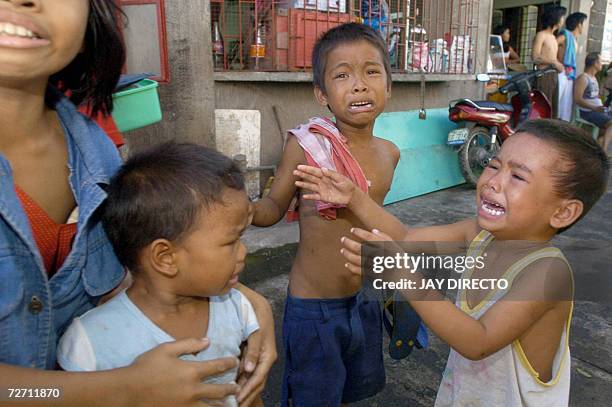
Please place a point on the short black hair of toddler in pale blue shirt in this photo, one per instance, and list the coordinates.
(160, 192)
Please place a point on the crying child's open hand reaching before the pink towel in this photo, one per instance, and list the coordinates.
(326, 185)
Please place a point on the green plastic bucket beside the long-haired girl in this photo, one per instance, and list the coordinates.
(137, 106)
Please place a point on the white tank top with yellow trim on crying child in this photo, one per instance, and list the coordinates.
(505, 378)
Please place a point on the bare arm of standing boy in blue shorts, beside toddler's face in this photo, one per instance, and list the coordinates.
(272, 207)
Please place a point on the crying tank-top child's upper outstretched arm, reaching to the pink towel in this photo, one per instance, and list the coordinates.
(330, 186)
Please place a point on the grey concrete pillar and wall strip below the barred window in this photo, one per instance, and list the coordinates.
(189, 100)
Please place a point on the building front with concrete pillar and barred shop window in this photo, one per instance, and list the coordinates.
(225, 64)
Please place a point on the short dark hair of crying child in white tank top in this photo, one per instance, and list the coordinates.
(584, 173)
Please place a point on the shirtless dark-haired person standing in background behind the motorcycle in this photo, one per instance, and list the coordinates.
(545, 51)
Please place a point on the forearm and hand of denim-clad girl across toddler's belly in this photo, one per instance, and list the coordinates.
(157, 377)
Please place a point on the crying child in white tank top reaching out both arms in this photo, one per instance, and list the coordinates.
(508, 347)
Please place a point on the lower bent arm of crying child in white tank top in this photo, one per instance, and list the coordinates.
(535, 292)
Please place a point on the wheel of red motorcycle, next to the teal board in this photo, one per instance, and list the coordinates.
(476, 153)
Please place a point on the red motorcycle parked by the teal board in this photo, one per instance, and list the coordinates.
(485, 125)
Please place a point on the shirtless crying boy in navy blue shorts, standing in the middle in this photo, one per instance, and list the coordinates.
(332, 337)
